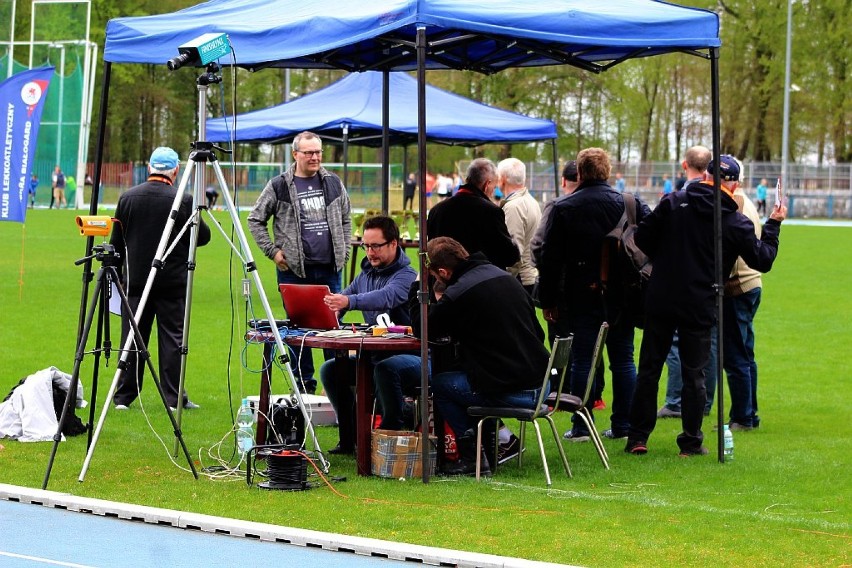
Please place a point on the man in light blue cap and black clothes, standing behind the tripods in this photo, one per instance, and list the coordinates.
(141, 217)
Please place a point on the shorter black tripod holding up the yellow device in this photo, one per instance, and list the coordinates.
(106, 278)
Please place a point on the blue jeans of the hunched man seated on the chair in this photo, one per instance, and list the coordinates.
(453, 396)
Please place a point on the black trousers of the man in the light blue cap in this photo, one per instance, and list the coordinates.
(169, 312)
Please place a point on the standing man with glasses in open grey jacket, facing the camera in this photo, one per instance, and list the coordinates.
(311, 229)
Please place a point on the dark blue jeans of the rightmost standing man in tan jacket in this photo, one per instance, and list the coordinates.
(739, 362)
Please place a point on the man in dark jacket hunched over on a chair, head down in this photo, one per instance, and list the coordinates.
(491, 319)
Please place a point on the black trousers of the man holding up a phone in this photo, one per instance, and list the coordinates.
(694, 355)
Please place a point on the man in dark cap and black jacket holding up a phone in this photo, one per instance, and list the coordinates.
(678, 238)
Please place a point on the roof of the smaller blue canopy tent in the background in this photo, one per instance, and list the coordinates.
(356, 101)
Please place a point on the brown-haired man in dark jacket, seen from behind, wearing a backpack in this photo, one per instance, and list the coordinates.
(569, 276)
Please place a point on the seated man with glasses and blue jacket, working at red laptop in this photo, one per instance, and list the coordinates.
(381, 287)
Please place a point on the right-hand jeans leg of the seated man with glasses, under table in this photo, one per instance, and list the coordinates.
(395, 378)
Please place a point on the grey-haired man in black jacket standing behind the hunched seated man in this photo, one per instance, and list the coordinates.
(472, 219)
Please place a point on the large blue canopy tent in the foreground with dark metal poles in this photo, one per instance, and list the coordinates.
(401, 35)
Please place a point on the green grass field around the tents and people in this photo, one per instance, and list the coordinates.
(783, 501)
